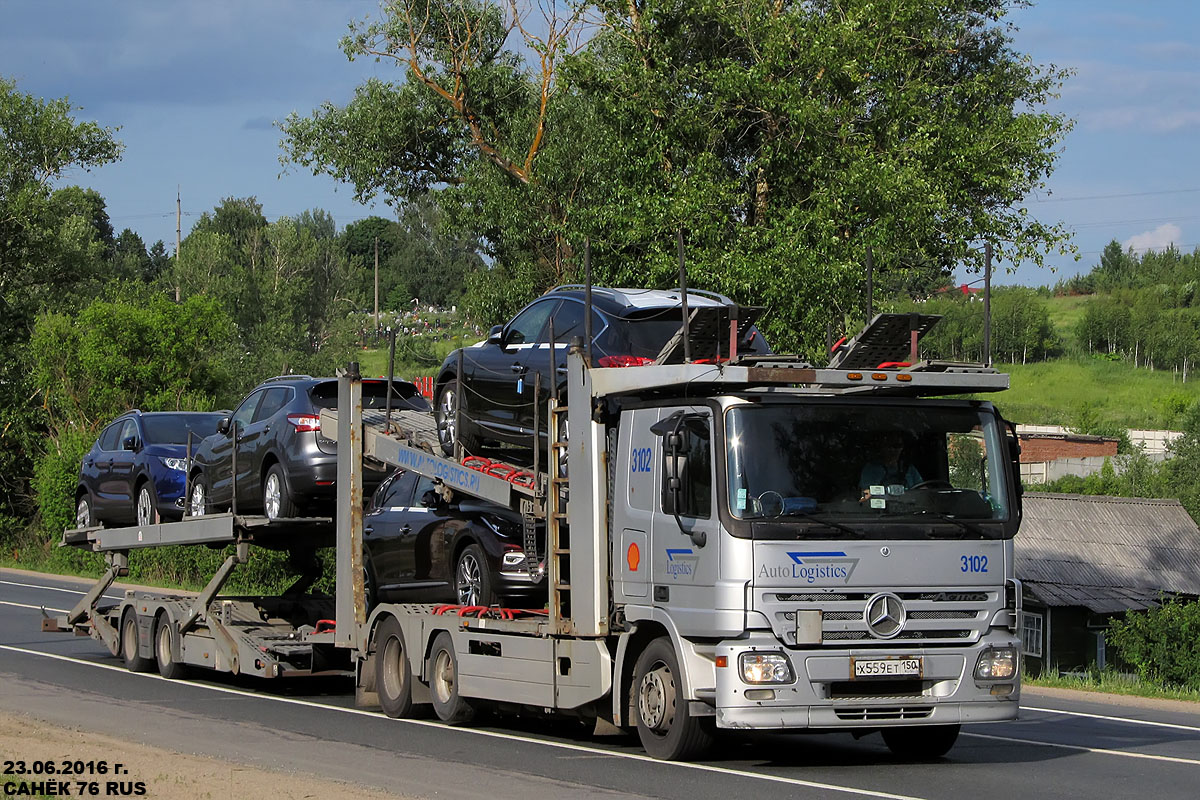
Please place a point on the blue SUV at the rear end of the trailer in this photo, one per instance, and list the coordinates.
(135, 473)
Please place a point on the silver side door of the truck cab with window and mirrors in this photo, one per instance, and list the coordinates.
(685, 527)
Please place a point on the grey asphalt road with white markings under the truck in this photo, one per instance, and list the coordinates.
(1059, 749)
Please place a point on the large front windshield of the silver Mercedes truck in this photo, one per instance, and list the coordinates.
(854, 467)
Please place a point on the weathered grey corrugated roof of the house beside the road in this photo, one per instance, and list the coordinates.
(1109, 555)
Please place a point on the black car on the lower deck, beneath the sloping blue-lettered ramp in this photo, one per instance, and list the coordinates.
(419, 549)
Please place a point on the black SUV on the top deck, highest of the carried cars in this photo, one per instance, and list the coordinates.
(631, 328)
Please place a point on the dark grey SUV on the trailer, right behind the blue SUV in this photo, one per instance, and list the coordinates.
(286, 468)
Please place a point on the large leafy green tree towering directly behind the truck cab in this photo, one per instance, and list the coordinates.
(784, 139)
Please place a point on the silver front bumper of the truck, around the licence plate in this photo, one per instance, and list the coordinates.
(825, 696)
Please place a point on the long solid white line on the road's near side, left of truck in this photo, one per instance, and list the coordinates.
(491, 735)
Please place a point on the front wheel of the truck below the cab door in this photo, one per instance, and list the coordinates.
(664, 725)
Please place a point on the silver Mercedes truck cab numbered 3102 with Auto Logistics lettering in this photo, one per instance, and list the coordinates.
(823, 560)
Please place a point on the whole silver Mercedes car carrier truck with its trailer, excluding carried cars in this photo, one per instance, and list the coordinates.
(724, 549)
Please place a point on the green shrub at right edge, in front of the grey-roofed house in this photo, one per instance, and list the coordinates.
(1162, 645)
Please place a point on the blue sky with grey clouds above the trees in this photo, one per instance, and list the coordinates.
(196, 91)
